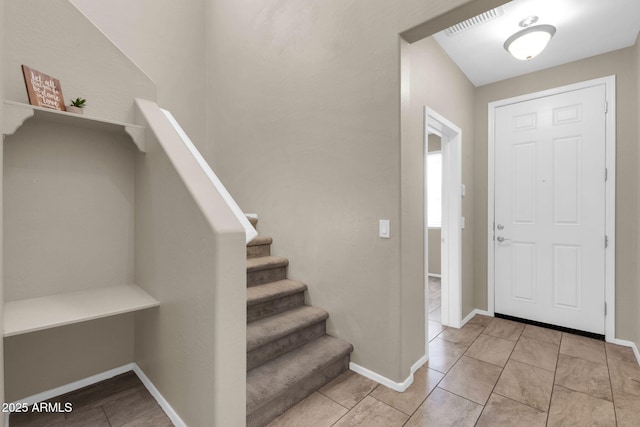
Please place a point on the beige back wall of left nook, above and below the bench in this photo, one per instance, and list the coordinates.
(68, 223)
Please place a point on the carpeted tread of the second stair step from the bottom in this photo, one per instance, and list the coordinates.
(272, 328)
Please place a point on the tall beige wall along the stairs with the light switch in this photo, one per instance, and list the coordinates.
(305, 131)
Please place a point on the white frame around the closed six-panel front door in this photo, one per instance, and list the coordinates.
(610, 193)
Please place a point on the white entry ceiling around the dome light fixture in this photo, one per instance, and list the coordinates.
(584, 28)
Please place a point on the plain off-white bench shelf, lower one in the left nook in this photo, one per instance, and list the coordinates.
(35, 314)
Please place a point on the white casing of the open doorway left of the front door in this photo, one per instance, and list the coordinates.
(451, 227)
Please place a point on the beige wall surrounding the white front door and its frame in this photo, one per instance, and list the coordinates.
(621, 64)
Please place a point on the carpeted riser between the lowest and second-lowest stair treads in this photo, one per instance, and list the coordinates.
(277, 348)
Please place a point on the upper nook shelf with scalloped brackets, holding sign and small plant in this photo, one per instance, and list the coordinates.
(16, 113)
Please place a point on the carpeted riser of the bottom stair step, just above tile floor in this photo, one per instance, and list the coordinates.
(294, 394)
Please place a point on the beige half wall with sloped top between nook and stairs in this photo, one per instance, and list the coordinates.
(192, 258)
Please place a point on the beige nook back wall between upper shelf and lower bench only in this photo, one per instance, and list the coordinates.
(68, 196)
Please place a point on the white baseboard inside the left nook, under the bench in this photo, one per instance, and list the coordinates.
(76, 385)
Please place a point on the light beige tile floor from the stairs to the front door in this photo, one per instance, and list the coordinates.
(491, 372)
